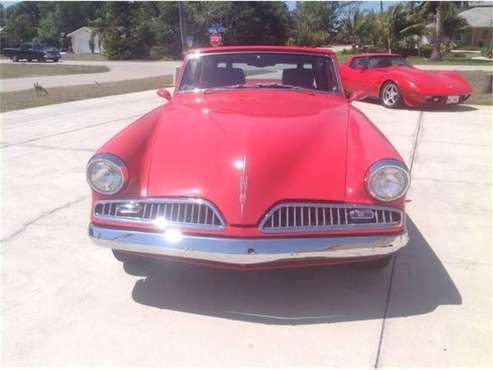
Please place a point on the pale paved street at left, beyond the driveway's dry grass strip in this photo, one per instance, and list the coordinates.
(121, 70)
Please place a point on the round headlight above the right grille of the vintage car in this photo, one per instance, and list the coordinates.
(387, 180)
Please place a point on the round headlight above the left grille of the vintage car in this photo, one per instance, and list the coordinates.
(106, 173)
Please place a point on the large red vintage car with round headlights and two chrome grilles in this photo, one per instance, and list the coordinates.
(257, 161)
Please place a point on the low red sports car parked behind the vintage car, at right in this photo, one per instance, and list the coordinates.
(390, 78)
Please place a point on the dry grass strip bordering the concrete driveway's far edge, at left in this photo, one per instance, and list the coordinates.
(22, 99)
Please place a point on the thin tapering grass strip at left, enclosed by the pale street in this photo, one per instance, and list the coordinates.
(17, 70)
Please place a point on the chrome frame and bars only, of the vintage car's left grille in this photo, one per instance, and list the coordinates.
(149, 204)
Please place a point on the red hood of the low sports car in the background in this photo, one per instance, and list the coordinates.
(434, 82)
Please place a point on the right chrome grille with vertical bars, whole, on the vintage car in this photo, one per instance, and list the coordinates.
(292, 217)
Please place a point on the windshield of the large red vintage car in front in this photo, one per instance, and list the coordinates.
(260, 70)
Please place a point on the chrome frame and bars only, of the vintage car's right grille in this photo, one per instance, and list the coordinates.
(338, 226)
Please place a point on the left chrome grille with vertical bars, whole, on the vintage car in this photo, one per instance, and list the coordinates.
(185, 212)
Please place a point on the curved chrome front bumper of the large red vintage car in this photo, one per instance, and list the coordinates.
(247, 251)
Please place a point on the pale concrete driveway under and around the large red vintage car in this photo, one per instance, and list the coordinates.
(67, 302)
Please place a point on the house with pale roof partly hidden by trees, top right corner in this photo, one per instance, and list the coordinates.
(479, 16)
